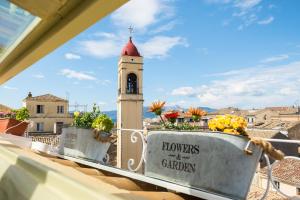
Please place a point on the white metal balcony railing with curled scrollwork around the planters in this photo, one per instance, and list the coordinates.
(138, 133)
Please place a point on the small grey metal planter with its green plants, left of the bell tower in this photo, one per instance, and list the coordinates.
(86, 138)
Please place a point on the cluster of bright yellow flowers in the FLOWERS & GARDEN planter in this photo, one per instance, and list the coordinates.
(231, 124)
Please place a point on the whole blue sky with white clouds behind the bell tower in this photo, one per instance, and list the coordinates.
(216, 53)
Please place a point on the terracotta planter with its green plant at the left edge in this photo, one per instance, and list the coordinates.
(14, 122)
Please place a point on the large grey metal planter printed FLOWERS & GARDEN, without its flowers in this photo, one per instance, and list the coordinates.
(211, 162)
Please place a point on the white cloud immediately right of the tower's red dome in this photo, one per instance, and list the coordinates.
(159, 46)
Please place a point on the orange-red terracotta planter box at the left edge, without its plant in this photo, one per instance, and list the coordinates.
(19, 130)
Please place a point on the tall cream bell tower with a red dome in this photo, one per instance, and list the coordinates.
(130, 104)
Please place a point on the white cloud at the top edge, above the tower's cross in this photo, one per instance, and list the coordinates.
(141, 13)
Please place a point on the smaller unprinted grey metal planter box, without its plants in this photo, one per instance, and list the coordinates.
(80, 143)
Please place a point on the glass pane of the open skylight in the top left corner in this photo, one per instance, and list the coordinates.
(15, 24)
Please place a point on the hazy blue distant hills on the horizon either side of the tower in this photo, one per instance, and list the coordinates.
(113, 113)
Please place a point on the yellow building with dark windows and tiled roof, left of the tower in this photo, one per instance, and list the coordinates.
(47, 112)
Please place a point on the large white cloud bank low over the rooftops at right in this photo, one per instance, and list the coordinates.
(264, 86)
